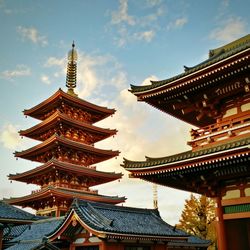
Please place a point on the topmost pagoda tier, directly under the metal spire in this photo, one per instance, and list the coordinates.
(73, 106)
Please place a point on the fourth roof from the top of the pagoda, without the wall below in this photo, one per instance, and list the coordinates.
(100, 177)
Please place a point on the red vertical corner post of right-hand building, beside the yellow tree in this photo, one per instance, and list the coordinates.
(220, 227)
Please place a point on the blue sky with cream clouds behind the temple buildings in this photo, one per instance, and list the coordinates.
(118, 43)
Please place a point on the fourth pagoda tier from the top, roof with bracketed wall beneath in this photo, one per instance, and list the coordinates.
(63, 174)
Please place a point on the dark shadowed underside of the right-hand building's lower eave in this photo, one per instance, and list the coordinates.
(203, 178)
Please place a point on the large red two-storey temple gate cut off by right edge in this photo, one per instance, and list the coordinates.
(213, 97)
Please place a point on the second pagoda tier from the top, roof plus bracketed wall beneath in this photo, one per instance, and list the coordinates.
(73, 129)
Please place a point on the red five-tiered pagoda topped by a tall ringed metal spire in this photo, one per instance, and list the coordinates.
(66, 150)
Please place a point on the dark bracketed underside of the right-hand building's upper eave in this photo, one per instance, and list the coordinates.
(200, 103)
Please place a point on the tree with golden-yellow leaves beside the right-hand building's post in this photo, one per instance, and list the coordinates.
(198, 218)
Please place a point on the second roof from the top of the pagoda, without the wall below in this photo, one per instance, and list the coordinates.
(59, 118)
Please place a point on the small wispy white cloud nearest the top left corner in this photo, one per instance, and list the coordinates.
(32, 35)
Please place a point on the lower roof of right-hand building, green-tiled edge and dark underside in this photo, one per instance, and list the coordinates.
(203, 171)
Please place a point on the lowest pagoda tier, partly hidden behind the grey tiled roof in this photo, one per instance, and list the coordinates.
(57, 200)
